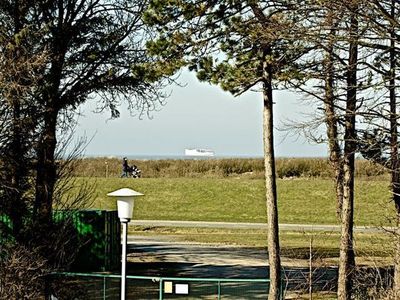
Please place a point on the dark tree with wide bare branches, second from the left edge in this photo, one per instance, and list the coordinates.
(95, 48)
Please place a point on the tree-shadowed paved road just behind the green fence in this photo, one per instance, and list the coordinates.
(160, 257)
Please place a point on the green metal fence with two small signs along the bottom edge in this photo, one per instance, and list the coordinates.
(104, 286)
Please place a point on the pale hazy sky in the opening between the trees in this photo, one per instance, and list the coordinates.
(197, 116)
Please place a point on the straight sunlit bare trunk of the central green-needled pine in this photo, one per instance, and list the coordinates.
(270, 185)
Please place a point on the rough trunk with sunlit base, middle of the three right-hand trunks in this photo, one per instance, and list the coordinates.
(346, 258)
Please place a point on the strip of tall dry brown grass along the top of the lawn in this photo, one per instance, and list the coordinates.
(250, 167)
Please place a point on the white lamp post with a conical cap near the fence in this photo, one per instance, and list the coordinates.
(125, 202)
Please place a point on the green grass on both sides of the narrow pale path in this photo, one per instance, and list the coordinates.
(237, 199)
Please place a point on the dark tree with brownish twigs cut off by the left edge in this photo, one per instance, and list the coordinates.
(20, 65)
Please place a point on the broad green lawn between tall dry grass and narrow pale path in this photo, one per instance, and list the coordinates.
(308, 201)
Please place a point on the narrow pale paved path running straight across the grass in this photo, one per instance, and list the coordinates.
(286, 227)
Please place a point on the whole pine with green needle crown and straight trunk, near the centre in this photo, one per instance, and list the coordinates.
(238, 46)
